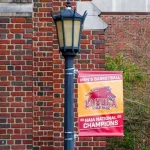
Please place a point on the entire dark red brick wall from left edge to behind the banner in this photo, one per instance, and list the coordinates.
(32, 77)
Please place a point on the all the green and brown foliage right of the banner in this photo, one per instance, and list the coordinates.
(136, 100)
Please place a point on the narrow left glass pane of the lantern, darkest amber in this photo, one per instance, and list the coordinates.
(60, 33)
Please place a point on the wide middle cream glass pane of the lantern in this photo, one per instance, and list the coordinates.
(68, 32)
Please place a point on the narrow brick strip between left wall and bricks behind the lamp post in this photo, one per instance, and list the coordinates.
(43, 75)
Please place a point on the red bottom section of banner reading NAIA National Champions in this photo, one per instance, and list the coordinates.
(104, 125)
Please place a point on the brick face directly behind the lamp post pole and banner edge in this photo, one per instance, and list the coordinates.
(91, 58)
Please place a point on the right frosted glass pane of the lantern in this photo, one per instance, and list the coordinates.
(76, 32)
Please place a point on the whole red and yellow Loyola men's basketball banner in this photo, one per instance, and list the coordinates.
(100, 103)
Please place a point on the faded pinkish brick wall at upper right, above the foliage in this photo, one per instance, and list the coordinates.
(127, 32)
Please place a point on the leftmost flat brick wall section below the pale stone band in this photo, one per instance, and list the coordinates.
(16, 83)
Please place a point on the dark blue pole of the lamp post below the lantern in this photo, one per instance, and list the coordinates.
(69, 103)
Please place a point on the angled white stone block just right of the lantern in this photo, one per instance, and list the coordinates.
(92, 21)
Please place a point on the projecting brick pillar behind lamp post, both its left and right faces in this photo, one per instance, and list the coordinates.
(48, 68)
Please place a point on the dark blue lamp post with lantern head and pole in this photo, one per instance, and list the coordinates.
(69, 26)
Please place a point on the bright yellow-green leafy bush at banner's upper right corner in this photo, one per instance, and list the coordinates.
(131, 72)
